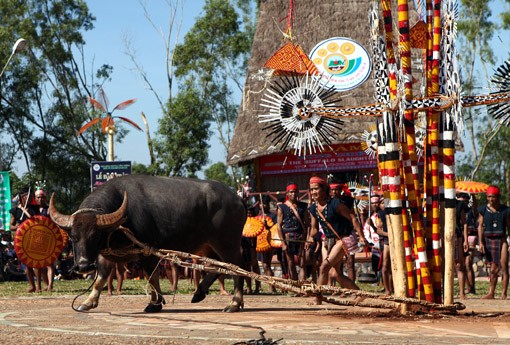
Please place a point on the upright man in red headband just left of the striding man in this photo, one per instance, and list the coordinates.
(292, 223)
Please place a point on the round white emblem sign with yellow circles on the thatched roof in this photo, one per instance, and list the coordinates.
(342, 62)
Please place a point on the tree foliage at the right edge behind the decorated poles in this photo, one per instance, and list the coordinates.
(488, 162)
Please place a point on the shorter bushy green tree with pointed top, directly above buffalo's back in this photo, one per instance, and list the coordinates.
(181, 145)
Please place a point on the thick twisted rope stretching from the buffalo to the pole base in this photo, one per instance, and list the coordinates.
(305, 288)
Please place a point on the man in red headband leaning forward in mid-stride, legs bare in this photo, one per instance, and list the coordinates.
(337, 221)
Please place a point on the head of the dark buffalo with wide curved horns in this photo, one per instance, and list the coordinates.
(88, 229)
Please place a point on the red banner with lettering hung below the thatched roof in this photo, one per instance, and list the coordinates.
(343, 157)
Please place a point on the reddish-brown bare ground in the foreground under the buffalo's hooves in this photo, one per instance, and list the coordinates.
(282, 319)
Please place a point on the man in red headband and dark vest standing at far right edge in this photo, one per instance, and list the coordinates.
(493, 229)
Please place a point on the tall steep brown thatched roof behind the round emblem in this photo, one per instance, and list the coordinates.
(314, 22)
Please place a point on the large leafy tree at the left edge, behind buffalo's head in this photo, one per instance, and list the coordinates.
(44, 94)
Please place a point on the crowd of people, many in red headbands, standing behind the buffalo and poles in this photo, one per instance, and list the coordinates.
(319, 240)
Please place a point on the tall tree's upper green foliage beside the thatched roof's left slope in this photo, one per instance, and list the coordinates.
(214, 55)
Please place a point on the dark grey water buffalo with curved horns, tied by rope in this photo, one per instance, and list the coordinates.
(190, 215)
